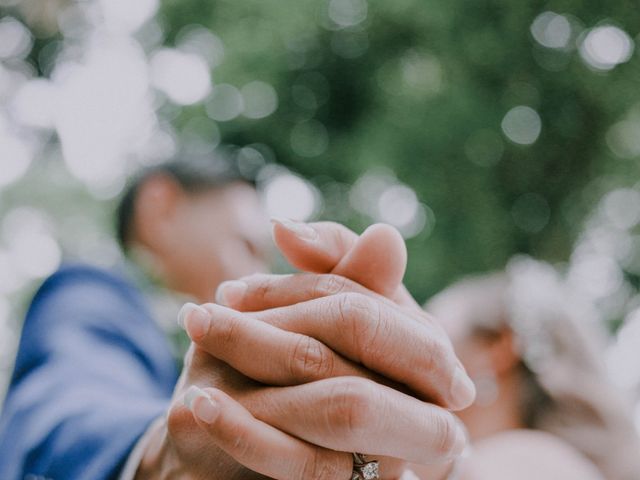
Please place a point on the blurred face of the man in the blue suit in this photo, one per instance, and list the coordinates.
(216, 235)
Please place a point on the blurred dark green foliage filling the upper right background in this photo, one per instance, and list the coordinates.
(478, 60)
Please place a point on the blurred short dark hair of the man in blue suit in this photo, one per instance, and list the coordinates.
(193, 175)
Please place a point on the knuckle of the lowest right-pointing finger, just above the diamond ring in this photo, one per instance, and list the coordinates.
(350, 406)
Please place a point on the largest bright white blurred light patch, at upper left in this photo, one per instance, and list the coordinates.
(103, 110)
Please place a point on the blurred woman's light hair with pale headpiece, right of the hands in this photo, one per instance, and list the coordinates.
(566, 390)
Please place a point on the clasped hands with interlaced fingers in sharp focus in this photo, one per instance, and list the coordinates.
(287, 374)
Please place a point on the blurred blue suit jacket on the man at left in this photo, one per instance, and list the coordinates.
(92, 371)
